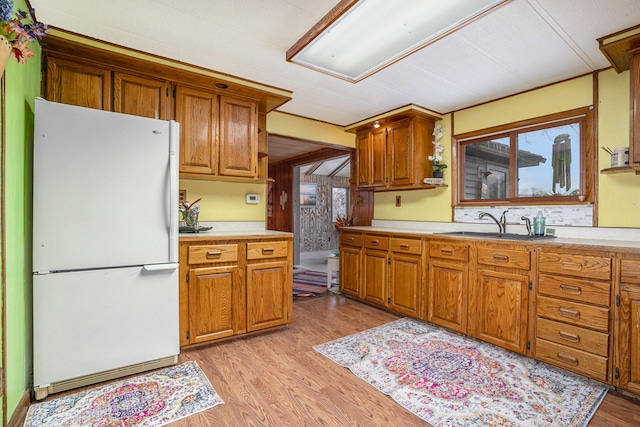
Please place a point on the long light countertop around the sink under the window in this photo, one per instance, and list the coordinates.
(628, 238)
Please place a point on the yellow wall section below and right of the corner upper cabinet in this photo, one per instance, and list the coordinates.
(420, 205)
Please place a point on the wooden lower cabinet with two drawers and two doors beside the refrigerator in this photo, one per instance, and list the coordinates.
(231, 287)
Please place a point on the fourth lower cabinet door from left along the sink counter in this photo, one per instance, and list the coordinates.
(448, 287)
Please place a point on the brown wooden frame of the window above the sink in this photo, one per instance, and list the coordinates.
(588, 157)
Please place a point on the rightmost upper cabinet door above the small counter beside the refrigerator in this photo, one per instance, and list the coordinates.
(238, 155)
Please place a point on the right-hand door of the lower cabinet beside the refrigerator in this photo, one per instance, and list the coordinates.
(269, 295)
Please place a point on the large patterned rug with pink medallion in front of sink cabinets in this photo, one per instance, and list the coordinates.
(450, 380)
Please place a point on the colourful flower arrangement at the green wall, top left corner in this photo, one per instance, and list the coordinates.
(19, 30)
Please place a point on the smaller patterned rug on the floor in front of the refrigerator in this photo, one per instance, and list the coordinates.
(152, 399)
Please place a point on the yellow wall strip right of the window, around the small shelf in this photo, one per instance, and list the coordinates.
(619, 194)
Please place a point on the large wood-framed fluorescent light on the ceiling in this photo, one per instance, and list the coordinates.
(360, 37)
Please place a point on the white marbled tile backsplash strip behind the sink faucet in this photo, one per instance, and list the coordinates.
(556, 215)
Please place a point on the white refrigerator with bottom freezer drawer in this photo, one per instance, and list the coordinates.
(105, 245)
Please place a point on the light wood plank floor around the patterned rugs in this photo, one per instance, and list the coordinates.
(277, 379)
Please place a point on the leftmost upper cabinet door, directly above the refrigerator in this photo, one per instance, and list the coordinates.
(75, 83)
